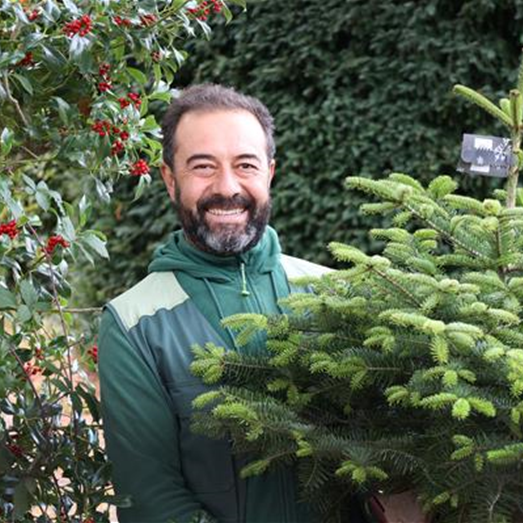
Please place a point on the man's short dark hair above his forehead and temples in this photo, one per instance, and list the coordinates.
(212, 97)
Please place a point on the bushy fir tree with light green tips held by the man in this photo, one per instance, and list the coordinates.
(402, 371)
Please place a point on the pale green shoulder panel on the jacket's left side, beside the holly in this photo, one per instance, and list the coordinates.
(159, 290)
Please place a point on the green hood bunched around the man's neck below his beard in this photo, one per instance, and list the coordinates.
(179, 255)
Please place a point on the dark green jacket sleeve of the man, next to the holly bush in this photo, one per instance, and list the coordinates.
(141, 434)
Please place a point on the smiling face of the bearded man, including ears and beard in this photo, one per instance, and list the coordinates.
(221, 180)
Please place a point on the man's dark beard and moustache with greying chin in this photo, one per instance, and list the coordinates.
(224, 239)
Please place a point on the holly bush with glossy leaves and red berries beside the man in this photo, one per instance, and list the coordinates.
(77, 83)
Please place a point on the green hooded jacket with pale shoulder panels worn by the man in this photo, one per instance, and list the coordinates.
(146, 386)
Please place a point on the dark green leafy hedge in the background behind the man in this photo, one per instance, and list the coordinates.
(356, 87)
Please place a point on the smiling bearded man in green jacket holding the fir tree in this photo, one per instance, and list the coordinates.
(218, 168)
